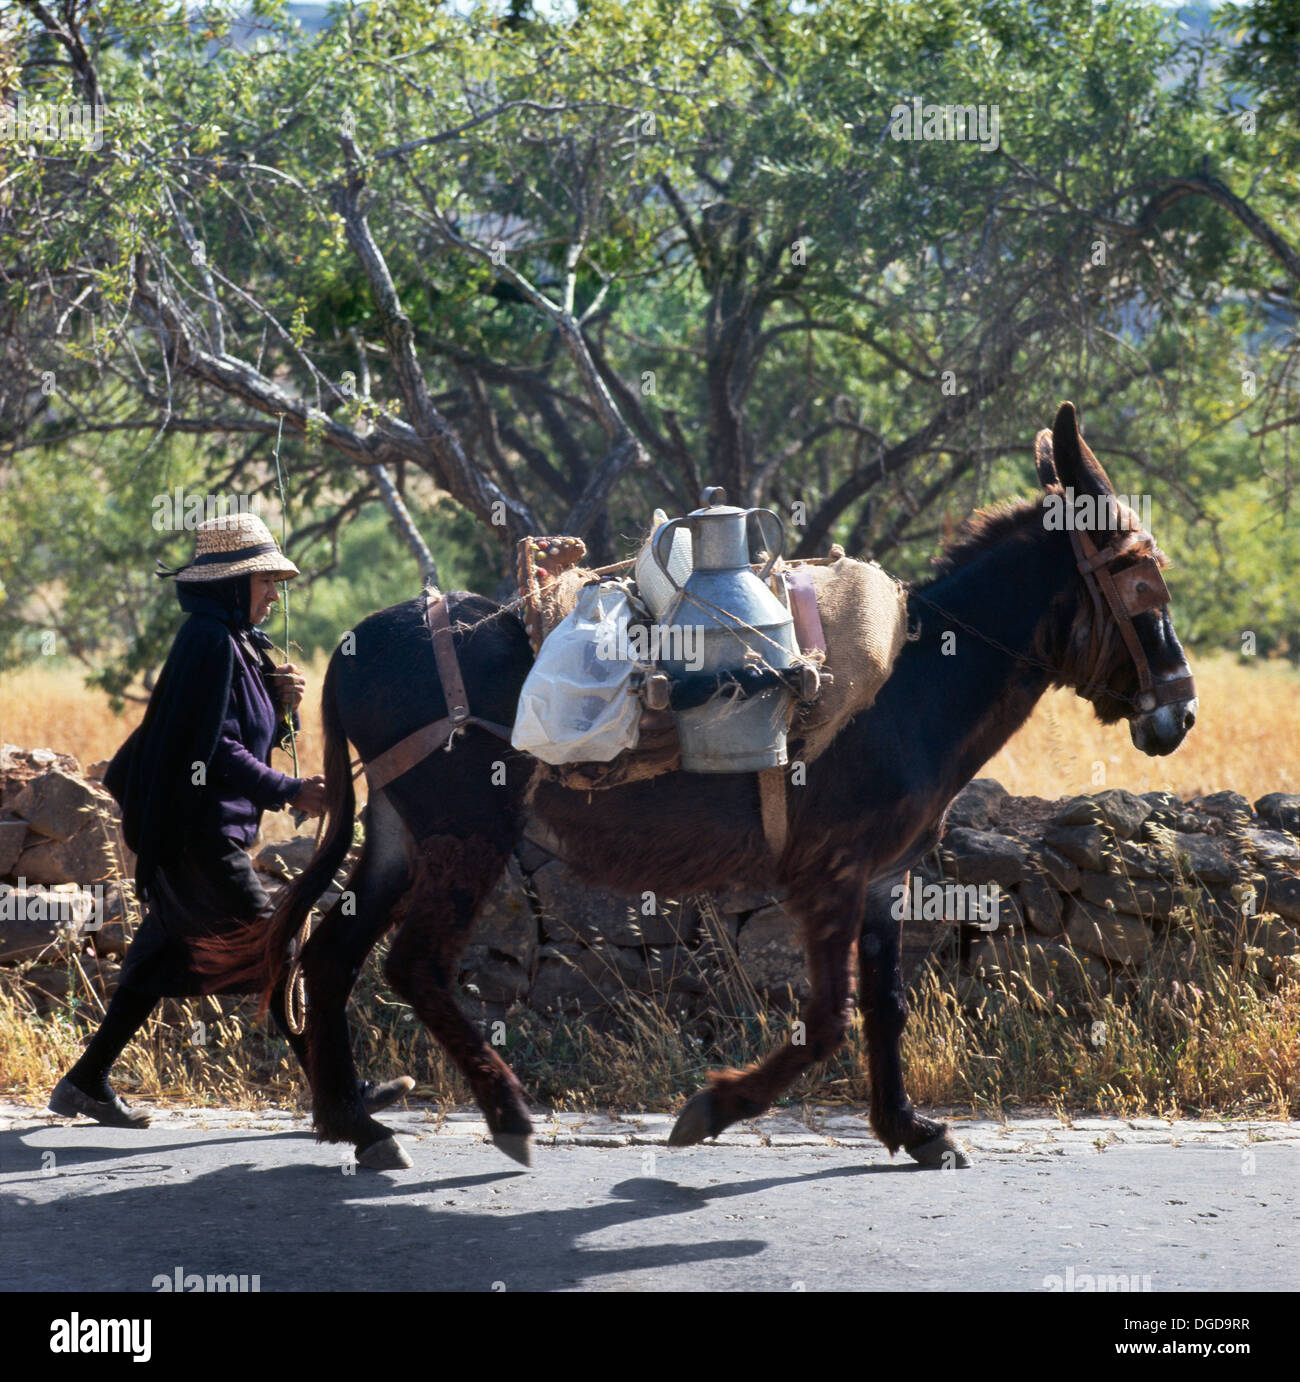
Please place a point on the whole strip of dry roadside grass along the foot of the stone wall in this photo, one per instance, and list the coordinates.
(1212, 1026)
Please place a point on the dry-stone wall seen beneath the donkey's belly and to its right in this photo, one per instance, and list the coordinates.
(1085, 889)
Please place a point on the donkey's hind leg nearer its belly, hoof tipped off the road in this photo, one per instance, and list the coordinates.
(452, 878)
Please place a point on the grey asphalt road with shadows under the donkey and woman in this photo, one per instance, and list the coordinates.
(774, 1206)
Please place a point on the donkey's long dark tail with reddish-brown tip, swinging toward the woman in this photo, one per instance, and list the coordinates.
(258, 957)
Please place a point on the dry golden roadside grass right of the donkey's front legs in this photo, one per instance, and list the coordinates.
(1205, 1030)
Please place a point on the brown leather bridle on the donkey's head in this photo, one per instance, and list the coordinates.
(1124, 595)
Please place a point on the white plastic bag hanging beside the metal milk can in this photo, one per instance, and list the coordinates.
(578, 703)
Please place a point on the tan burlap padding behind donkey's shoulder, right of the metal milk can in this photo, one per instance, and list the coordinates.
(866, 620)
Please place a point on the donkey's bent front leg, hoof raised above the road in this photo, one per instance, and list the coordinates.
(830, 929)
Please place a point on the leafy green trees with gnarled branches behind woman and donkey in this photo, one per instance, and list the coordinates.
(566, 270)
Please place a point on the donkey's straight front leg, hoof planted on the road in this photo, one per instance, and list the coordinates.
(885, 1012)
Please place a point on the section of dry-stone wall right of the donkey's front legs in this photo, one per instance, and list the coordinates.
(1093, 885)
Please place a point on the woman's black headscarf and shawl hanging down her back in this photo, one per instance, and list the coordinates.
(153, 776)
